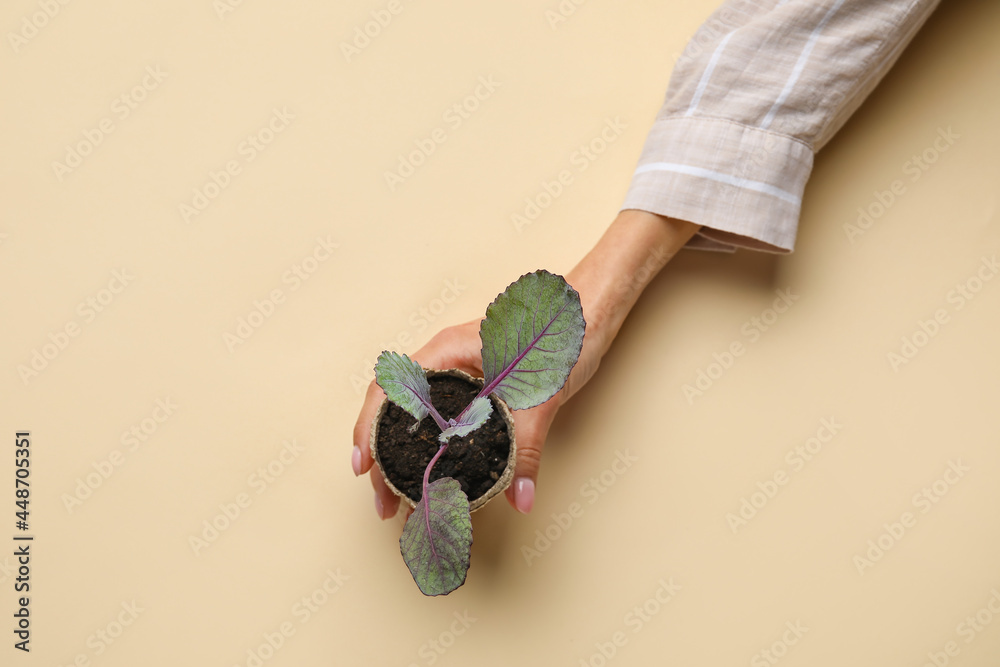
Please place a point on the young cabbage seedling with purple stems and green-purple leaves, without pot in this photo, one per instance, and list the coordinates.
(532, 336)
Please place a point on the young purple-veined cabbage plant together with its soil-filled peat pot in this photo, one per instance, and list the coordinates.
(447, 467)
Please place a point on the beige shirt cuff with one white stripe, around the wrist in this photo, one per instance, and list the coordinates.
(742, 184)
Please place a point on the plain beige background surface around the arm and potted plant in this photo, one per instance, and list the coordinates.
(163, 337)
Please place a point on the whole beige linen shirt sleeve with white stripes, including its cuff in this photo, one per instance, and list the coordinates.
(761, 87)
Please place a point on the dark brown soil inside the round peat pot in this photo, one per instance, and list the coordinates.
(476, 460)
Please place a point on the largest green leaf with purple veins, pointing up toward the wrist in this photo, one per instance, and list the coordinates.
(532, 337)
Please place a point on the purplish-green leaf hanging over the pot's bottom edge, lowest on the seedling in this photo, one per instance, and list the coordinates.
(437, 539)
